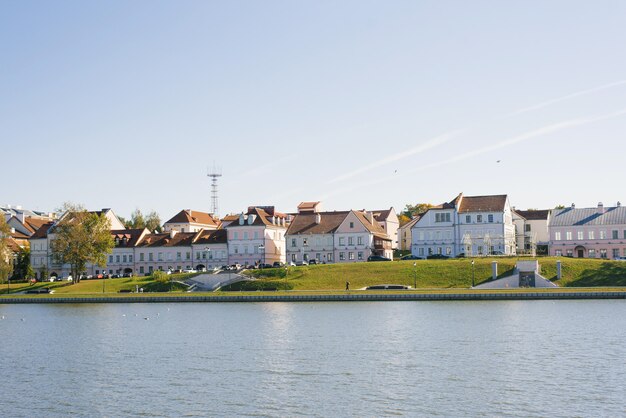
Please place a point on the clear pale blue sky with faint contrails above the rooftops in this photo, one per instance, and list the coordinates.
(360, 104)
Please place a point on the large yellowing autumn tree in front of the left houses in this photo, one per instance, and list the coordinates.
(81, 237)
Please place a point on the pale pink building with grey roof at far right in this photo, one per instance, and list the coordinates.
(588, 232)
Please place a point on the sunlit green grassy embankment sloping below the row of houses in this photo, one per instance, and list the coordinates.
(432, 275)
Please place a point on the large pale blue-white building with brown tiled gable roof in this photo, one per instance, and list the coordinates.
(469, 225)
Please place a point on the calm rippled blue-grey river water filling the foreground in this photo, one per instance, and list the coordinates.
(453, 359)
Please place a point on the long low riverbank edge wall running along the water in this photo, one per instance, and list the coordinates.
(348, 297)
